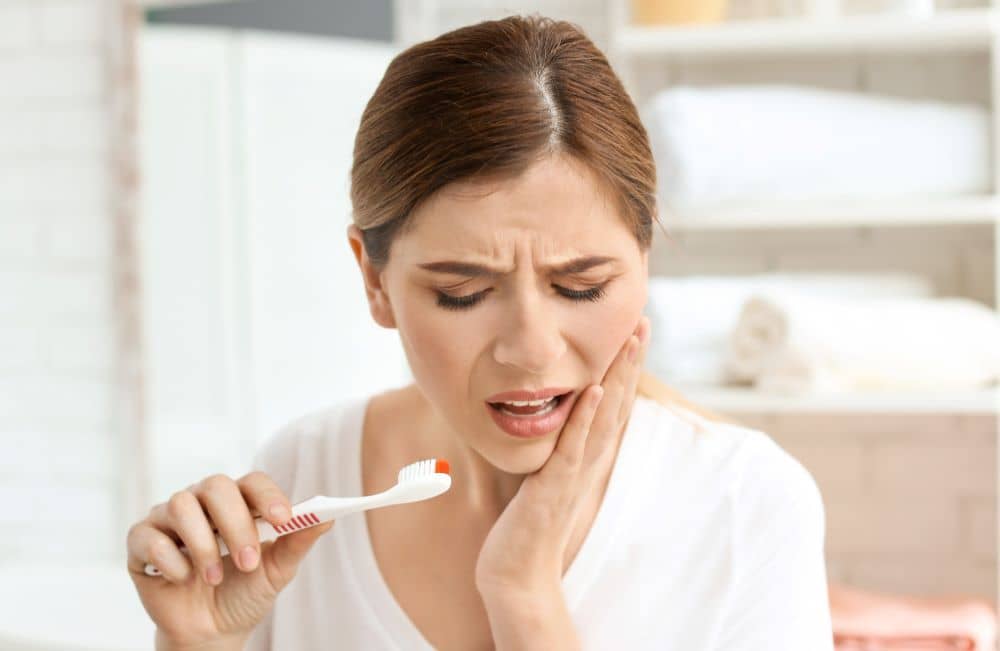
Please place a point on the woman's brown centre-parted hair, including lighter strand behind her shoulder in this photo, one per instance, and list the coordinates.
(486, 101)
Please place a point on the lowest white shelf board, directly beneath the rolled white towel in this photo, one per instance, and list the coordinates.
(741, 400)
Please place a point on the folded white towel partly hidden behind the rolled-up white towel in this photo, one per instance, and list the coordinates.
(693, 317)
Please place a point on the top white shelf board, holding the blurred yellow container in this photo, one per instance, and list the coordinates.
(967, 29)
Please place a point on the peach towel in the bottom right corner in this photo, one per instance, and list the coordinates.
(869, 621)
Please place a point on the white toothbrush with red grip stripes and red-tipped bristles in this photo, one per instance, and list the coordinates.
(418, 481)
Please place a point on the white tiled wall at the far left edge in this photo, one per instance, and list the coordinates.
(58, 467)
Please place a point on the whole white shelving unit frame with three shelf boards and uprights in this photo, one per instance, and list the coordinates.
(965, 30)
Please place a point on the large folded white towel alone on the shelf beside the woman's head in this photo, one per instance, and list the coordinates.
(768, 142)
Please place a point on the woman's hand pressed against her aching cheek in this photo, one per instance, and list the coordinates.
(524, 554)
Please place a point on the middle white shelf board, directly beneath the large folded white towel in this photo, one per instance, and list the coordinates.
(972, 209)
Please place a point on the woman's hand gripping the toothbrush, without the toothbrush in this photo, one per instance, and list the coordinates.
(203, 599)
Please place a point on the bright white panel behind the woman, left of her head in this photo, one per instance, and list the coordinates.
(254, 307)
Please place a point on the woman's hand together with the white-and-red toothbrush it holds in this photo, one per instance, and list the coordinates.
(178, 556)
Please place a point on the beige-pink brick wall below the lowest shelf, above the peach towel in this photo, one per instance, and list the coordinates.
(910, 499)
